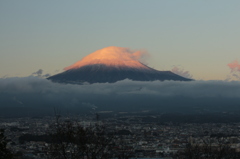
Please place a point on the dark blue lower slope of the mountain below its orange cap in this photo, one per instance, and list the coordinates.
(103, 74)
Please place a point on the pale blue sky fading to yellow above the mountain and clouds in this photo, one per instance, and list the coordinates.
(201, 37)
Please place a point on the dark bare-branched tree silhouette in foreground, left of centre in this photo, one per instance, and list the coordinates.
(70, 140)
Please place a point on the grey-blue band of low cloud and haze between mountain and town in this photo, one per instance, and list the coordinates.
(29, 93)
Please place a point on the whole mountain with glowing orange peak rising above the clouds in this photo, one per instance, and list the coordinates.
(110, 65)
